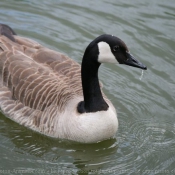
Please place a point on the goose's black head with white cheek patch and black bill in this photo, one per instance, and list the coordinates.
(113, 50)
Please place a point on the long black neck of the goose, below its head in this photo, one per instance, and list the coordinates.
(93, 99)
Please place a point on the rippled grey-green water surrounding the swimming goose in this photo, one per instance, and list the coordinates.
(145, 142)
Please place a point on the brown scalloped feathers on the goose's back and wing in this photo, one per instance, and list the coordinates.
(35, 79)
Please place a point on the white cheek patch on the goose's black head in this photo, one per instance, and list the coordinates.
(105, 54)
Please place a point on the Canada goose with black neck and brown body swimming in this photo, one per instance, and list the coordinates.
(50, 93)
